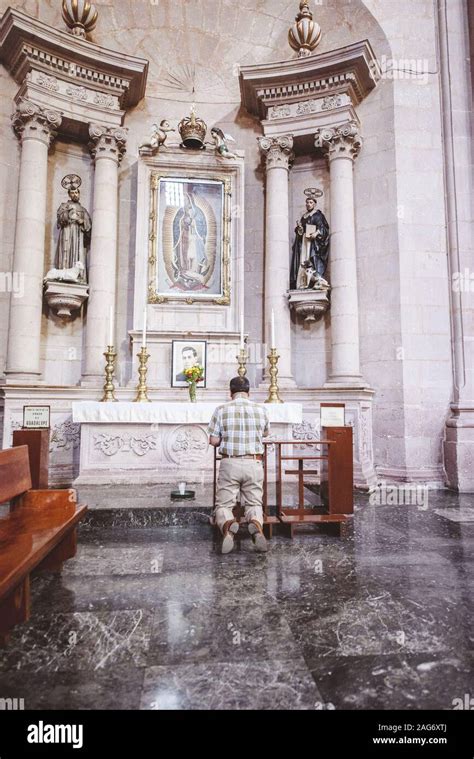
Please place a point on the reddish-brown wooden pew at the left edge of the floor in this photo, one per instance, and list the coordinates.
(39, 533)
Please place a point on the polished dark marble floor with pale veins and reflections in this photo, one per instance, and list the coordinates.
(150, 616)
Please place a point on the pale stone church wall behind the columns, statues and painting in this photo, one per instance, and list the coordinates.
(402, 272)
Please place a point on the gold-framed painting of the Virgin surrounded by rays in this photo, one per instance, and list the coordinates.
(189, 240)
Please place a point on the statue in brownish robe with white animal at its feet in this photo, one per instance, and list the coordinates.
(75, 226)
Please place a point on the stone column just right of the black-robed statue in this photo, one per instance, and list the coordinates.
(342, 145)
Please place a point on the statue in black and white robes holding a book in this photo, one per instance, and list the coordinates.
(311, 247)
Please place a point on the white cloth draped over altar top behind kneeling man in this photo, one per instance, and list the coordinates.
(88, 412)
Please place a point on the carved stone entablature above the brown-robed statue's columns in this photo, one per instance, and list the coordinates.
(60, 71)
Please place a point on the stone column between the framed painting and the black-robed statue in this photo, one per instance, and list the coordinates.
(278, 152)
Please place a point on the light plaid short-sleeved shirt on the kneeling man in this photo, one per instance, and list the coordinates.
(241, 425)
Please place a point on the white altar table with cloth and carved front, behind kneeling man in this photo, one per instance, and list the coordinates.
(150, 443)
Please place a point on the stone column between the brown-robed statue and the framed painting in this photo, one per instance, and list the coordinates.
(107, 148)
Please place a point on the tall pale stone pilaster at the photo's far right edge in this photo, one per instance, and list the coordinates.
(454, 46)
